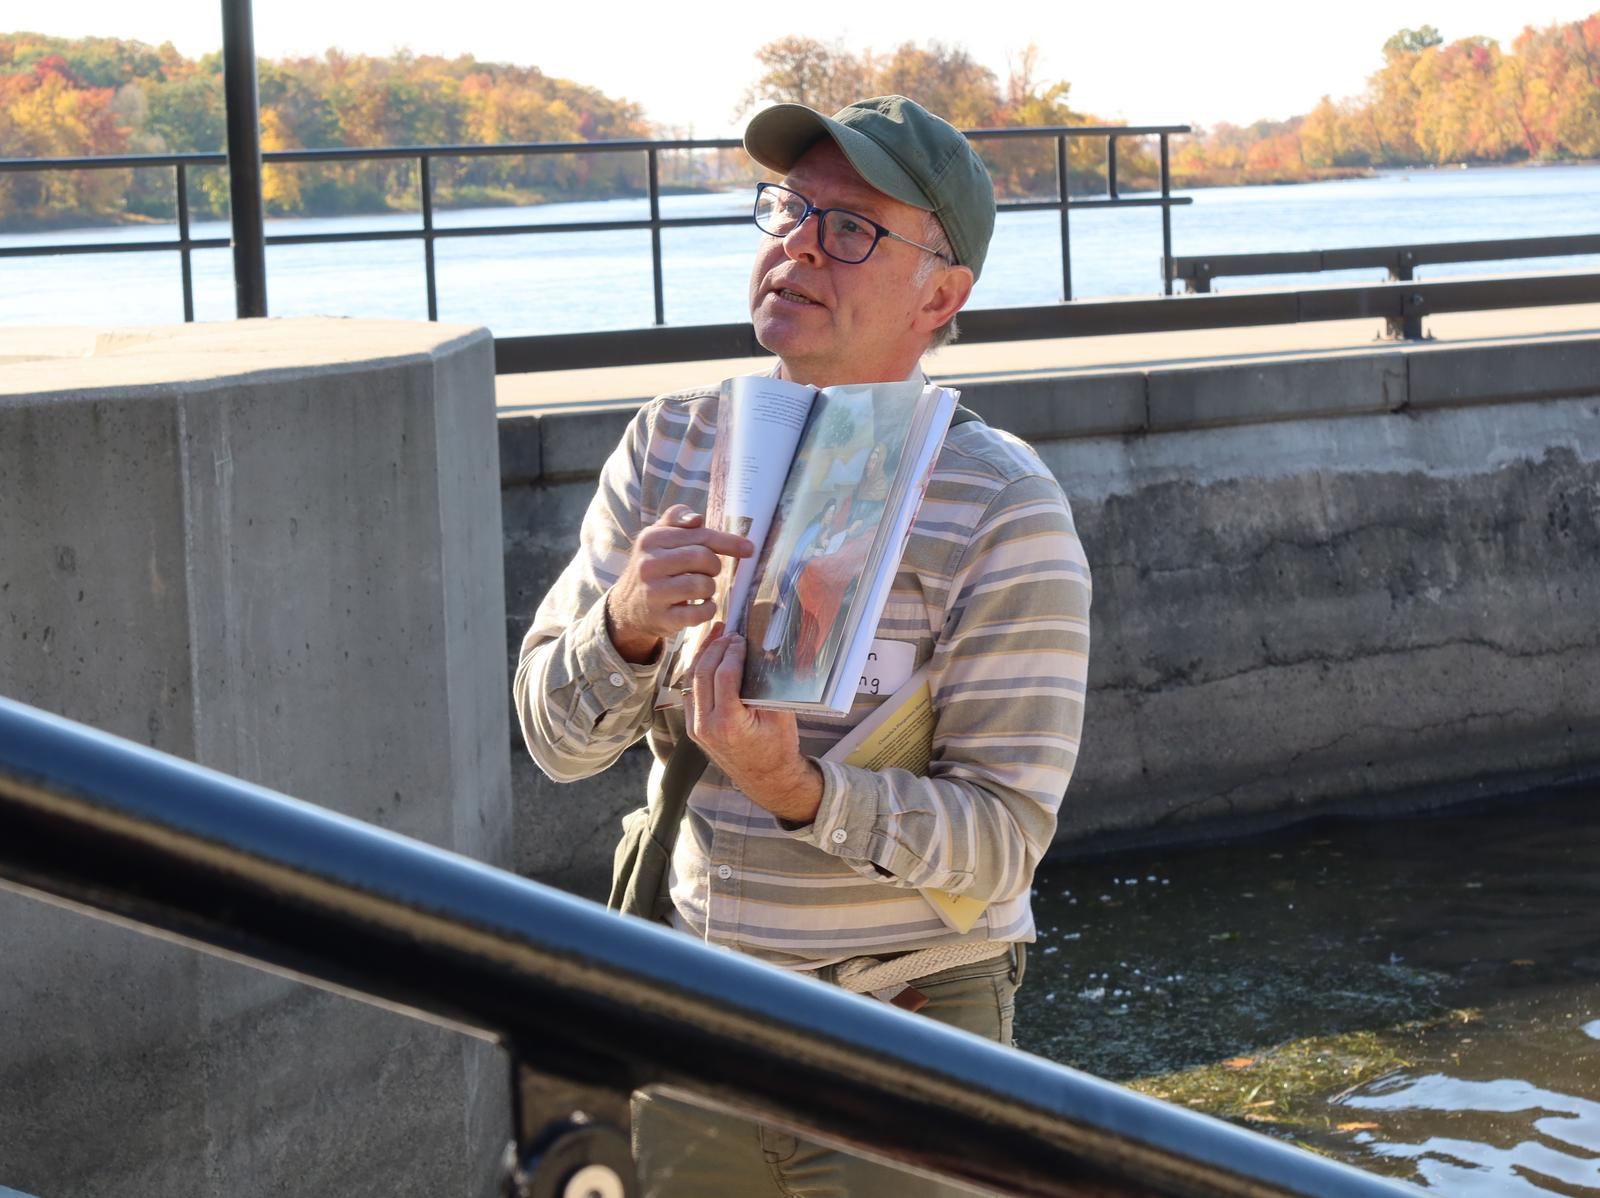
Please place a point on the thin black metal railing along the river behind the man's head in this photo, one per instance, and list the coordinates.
(430, 233)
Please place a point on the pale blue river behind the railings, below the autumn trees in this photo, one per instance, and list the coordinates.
(572, 282)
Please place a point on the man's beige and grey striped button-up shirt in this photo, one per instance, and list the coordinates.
(993, 591)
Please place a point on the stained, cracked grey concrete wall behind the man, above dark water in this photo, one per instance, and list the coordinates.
(1351, 580)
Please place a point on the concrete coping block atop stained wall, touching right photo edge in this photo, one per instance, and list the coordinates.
(1444, 378)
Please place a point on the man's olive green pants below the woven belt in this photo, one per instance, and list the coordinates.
(690, 1152)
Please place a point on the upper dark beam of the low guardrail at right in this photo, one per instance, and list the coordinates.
(1198, 271)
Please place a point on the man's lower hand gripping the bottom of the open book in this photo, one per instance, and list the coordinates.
(758, 749)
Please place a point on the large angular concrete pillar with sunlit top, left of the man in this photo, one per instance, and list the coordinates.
(273, 548)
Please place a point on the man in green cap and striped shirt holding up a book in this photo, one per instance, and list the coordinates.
(874, 242)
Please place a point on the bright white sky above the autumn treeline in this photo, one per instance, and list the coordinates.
(1151, 62)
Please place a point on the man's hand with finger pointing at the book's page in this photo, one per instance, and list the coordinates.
(674, 564)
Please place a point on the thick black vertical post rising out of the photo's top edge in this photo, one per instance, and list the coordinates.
(244, 161)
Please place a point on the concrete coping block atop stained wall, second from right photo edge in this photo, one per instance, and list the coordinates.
(1276, 391)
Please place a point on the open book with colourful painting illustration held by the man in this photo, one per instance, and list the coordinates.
(826, 485)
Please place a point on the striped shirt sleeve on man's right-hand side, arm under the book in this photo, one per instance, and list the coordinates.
(1010, 676)
